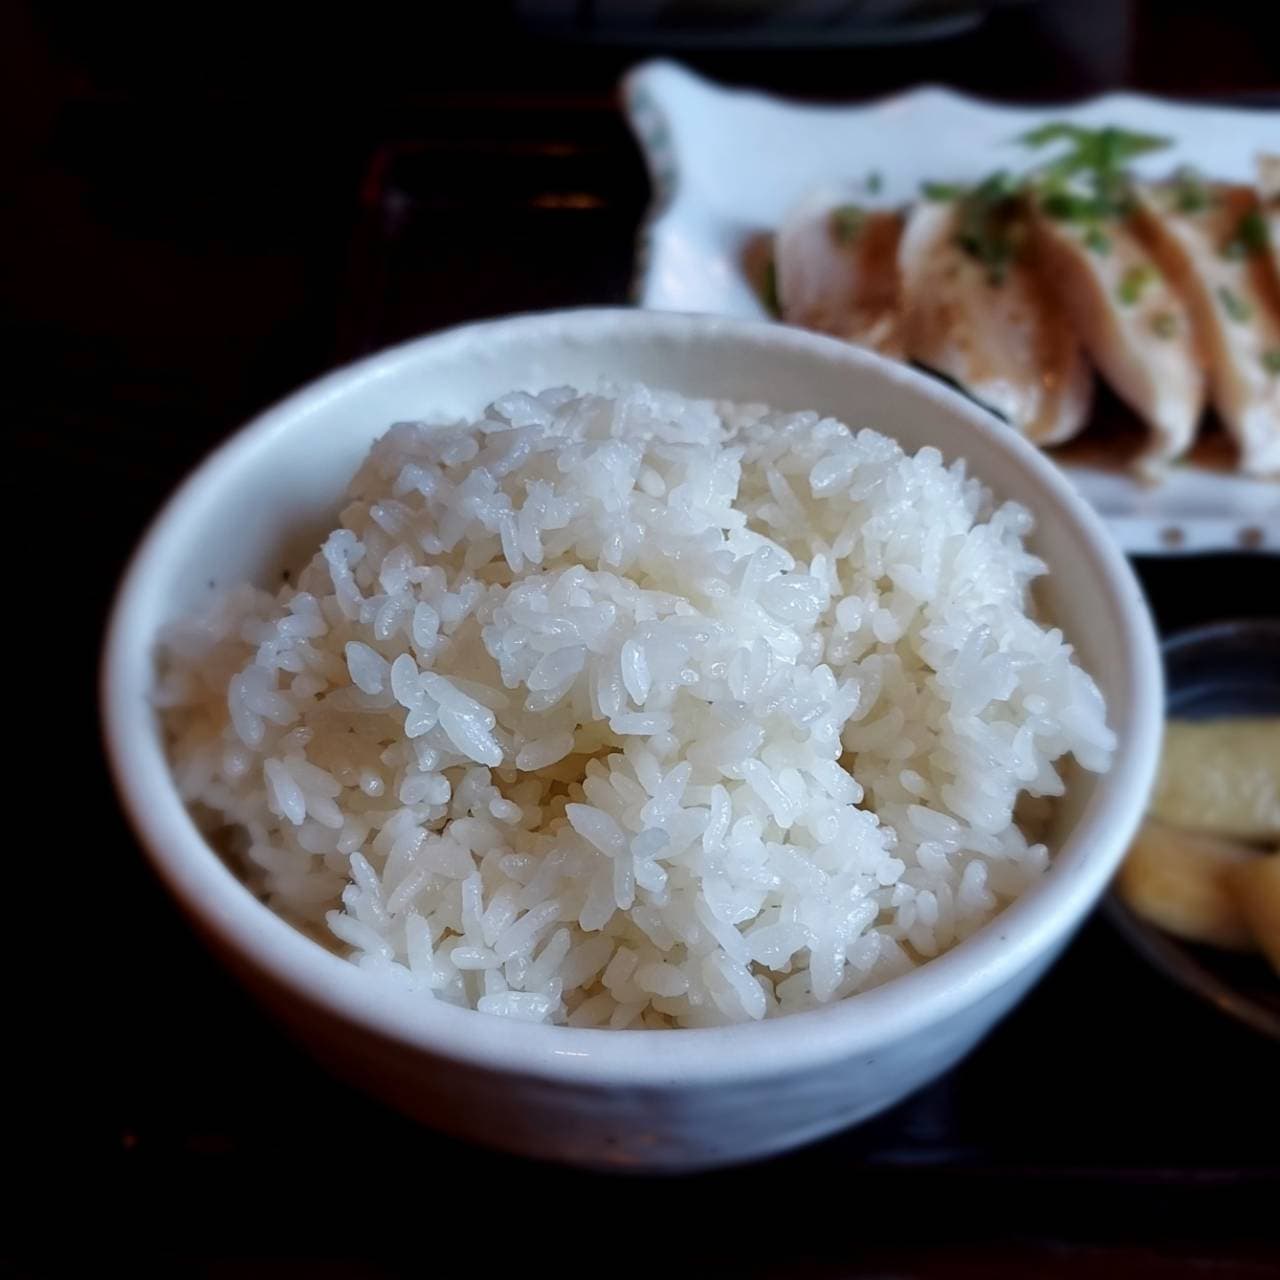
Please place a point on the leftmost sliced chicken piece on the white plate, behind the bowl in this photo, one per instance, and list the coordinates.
(836, 269)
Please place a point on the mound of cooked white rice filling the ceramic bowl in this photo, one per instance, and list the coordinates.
(634, 711)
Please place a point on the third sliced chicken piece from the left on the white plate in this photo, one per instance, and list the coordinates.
(1133, 324)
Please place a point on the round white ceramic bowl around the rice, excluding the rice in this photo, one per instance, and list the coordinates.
(660, 1100)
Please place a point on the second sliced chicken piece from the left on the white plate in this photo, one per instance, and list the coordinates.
(1002, 340)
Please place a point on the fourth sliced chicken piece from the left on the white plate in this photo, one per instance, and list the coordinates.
(1217, 255)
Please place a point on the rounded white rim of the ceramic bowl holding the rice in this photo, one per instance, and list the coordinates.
(228, 913)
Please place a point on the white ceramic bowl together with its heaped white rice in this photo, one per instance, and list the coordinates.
(629, 739)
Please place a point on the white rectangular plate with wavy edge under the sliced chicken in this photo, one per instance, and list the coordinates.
(726, 166)
